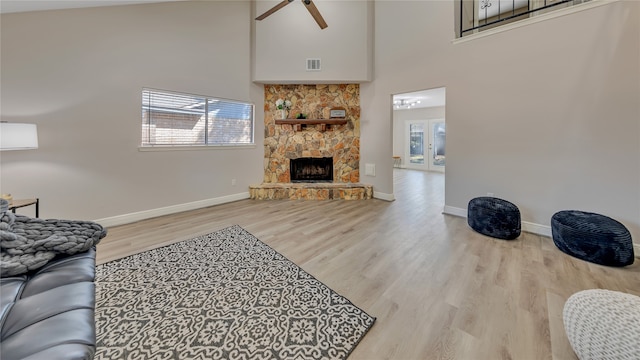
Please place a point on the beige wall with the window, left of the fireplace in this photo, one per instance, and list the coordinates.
(78, 75)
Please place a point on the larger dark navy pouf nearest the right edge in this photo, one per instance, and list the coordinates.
(592, 237)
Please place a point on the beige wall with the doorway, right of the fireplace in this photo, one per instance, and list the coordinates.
(546, 115)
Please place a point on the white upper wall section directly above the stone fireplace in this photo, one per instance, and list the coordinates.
(285, 39)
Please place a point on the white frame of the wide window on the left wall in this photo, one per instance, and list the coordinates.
(148, 146)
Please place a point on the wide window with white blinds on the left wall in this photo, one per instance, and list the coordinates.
(176, 119)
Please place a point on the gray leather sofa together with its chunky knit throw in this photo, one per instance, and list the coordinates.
(47, 292)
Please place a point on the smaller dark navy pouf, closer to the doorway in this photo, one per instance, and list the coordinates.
(494, 217)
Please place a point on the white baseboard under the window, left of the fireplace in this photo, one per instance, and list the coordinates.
(173, 209)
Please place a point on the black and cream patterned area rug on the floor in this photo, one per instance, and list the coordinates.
(225, 295)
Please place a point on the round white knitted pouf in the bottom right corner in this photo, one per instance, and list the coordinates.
(603, 324)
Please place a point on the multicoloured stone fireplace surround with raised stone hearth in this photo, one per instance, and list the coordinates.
(284, 142)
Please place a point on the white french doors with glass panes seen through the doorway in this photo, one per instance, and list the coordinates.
(425, 145)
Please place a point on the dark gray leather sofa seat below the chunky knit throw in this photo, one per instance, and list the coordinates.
(49, 313)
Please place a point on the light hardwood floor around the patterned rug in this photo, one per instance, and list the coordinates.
(438, 289)
